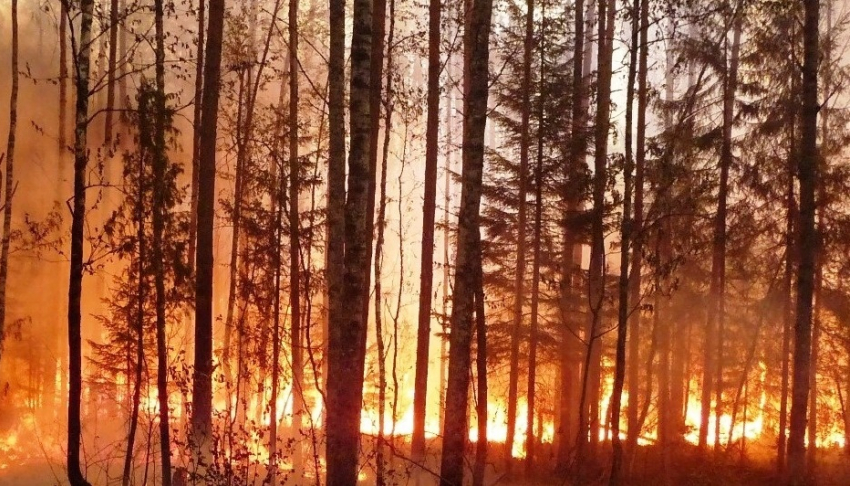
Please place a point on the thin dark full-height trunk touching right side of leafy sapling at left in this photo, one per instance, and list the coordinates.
(159, 214)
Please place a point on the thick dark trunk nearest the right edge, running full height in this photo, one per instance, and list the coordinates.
(808, 176)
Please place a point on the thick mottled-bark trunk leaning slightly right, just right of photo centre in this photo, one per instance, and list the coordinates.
(476, 38)
